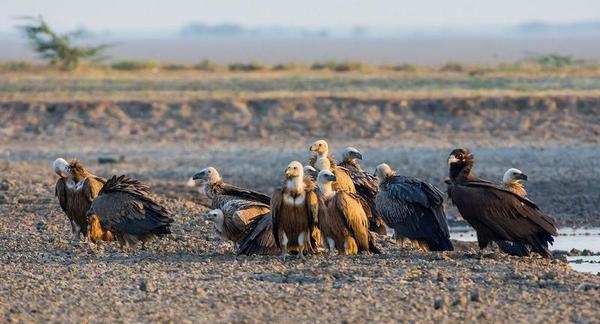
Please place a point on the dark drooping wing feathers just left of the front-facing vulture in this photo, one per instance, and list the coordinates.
(259, 238)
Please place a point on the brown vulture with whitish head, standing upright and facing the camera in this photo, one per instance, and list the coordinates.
(294, 209)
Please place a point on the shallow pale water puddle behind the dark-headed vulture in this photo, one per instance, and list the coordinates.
(568, 239)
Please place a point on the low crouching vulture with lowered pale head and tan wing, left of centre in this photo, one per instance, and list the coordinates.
(233, 219)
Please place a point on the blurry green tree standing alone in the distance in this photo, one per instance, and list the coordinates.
(59, 49)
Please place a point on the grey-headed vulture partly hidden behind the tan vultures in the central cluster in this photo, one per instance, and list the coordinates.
(366, 187)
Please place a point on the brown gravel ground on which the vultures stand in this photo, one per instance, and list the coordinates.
(194, 276)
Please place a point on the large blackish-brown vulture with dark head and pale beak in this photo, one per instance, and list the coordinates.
(497, 214)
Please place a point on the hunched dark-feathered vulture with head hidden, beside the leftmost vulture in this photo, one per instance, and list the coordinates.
(124, 206)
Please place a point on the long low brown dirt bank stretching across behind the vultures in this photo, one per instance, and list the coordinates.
(560, 118)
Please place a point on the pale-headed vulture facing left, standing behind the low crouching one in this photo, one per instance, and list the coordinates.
(220, 192)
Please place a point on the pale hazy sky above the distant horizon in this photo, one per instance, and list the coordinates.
(154, 14)
